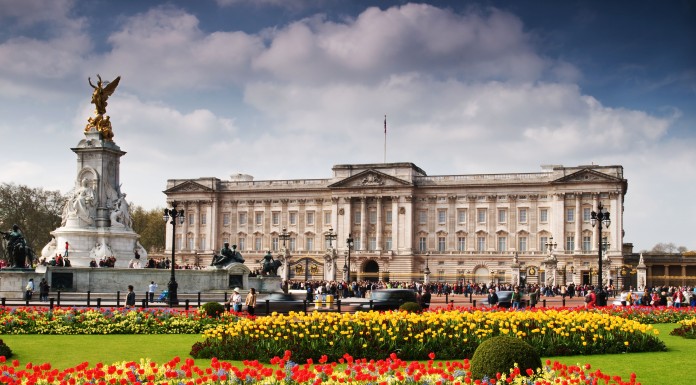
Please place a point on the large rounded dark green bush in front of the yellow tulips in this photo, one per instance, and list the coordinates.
(499, 354)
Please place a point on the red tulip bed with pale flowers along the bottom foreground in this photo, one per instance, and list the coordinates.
(283, 371)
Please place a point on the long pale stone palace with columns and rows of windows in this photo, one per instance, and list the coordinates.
(403, 224)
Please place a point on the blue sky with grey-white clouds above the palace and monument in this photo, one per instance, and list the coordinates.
(284, 89)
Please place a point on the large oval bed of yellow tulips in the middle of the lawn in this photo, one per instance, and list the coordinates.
(453, 334)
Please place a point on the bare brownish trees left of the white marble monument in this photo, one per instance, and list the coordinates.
(36, 211)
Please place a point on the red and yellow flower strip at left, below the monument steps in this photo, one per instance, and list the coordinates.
(29, 320)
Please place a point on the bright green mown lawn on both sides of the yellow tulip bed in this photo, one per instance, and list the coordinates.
(68, 351)
